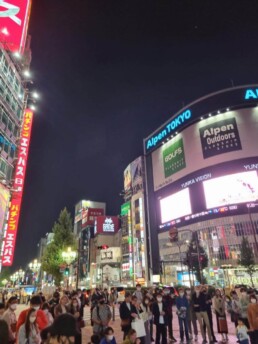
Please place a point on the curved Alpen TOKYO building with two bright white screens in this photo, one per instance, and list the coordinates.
(201, 168)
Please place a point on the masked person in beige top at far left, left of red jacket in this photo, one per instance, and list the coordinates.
(10, 318)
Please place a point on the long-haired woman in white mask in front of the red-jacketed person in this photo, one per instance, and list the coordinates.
(29, 332)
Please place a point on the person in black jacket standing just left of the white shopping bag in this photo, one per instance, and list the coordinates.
(127, 313)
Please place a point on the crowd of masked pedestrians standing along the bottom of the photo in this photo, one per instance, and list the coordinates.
(146, 315)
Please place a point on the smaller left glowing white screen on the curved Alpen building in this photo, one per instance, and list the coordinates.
(175, 206)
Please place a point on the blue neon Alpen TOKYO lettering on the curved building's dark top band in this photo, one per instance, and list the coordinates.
(170, 128)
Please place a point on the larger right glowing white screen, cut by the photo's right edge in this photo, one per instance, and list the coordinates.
(231, 189)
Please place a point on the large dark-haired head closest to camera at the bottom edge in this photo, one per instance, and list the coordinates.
(62, 331)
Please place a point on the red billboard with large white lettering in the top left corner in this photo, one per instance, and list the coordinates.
(14, 20)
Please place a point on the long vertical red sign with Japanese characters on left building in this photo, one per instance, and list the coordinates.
(19, 179)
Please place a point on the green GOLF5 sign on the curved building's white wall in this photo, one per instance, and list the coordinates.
(174, 158)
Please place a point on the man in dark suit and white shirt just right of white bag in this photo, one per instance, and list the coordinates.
(160, 313)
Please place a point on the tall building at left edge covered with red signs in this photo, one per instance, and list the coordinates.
(15, 58)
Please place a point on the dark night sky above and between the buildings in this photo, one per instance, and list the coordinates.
(109, 73)
